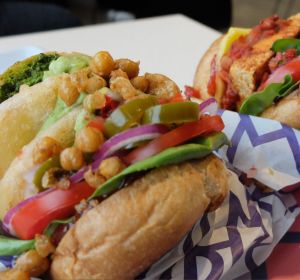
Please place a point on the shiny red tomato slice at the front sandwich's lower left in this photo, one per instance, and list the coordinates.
(35, 216)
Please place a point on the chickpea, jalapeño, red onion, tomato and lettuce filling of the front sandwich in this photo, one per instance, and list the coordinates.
(128, 126)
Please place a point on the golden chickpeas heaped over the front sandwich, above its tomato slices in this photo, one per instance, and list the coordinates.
(121, 76)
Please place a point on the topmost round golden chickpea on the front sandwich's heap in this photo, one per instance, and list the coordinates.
(102, 63)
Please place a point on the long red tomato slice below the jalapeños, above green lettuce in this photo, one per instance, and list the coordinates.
(205, 125)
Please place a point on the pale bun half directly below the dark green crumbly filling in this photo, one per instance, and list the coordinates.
(21, 117)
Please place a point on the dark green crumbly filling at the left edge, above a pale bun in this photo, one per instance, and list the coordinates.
(29, 71)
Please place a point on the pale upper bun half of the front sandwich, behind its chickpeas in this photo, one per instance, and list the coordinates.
(13, 186)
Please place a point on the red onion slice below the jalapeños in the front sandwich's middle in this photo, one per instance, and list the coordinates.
(120, 141)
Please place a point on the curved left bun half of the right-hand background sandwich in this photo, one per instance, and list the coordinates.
(202, 74)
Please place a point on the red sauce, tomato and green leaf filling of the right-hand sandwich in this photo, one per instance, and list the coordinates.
(281, 68)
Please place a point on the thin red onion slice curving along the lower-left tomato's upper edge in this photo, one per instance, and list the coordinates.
(6, 223)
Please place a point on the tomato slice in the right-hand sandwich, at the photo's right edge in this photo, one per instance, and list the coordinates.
(291, 68)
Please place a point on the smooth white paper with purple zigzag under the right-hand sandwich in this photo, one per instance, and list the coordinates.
(264, 148)
